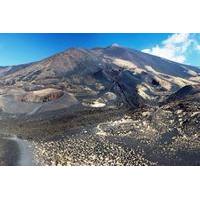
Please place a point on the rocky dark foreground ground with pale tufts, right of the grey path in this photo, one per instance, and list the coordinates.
(165, 135)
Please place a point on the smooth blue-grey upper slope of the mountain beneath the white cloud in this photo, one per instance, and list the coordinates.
(142, 60)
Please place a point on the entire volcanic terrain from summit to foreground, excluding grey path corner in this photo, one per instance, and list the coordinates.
(103, 106)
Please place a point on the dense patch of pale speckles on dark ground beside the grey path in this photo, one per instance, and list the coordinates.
(86, 150)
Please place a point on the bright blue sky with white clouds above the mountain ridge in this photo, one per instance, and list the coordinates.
(23, 48)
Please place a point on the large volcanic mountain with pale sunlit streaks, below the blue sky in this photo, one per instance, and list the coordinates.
(108, 77)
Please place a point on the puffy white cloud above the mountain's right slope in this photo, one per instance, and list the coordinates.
(173, 48)
